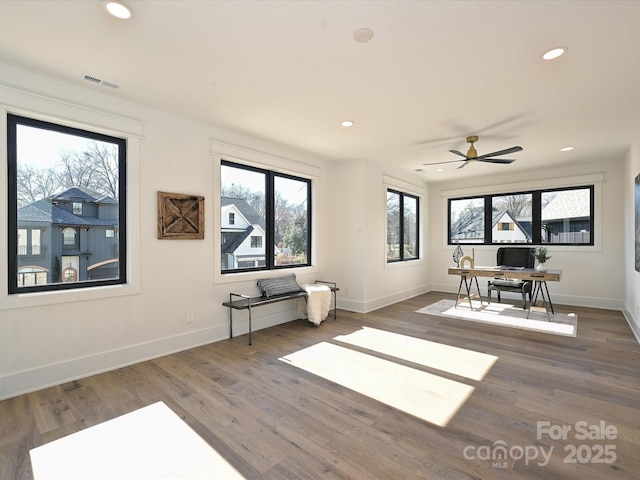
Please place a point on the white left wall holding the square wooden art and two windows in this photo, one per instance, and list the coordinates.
(46, 339)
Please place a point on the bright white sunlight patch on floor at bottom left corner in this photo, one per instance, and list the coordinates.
(151, 443)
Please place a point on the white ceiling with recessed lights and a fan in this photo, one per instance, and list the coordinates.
(290, 72)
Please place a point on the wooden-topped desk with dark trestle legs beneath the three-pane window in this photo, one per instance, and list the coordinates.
(540, 279)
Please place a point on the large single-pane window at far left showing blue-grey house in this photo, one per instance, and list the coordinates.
(50, 167)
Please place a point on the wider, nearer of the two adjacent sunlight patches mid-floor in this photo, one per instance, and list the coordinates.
(430, 397)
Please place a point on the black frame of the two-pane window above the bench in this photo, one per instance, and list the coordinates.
(269, 239)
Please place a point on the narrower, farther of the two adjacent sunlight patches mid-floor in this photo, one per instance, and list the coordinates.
(459, 361)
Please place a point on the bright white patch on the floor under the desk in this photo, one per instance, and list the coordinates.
(505, 315)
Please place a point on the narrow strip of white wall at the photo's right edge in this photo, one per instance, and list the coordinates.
(632, 277)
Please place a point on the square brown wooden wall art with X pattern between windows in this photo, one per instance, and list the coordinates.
(180, 216)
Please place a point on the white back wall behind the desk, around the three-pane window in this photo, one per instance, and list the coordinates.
(592, 276)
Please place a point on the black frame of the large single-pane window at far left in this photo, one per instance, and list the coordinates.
(13, 120)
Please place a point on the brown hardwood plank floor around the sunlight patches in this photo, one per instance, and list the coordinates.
(273, 421)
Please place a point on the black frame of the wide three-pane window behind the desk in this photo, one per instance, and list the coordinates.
(536, 216)
